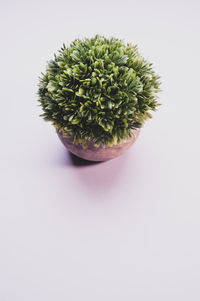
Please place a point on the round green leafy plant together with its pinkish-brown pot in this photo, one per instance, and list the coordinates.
(98, 93)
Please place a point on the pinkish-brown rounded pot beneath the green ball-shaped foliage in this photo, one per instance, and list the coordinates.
(100, 153)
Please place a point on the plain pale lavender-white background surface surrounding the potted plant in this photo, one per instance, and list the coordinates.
(123, 230)
